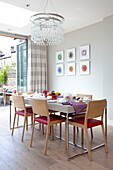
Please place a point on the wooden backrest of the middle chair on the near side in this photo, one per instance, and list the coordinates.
(40, 107)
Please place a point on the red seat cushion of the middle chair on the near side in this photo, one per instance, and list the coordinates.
(43, 119)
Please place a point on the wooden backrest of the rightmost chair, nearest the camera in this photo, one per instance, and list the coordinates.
(95, 108)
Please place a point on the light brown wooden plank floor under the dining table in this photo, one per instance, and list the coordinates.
(15, 154)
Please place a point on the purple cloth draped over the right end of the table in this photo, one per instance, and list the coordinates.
(78, 107)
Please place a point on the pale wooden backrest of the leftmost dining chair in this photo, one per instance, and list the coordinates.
(19, 102)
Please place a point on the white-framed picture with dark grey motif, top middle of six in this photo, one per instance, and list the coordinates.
(71, 55)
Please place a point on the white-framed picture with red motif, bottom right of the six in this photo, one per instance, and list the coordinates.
(84, 68)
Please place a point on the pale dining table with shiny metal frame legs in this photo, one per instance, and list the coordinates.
(67, 109)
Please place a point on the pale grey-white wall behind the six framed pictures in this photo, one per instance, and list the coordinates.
(100, 81)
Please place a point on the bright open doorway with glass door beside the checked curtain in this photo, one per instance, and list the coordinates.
(15, 57)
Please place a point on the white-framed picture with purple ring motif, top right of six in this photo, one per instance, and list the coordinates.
(84, 52)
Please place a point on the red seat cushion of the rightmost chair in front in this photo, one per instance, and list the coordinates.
(90, 123)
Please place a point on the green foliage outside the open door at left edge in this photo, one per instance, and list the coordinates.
(3, 75)
